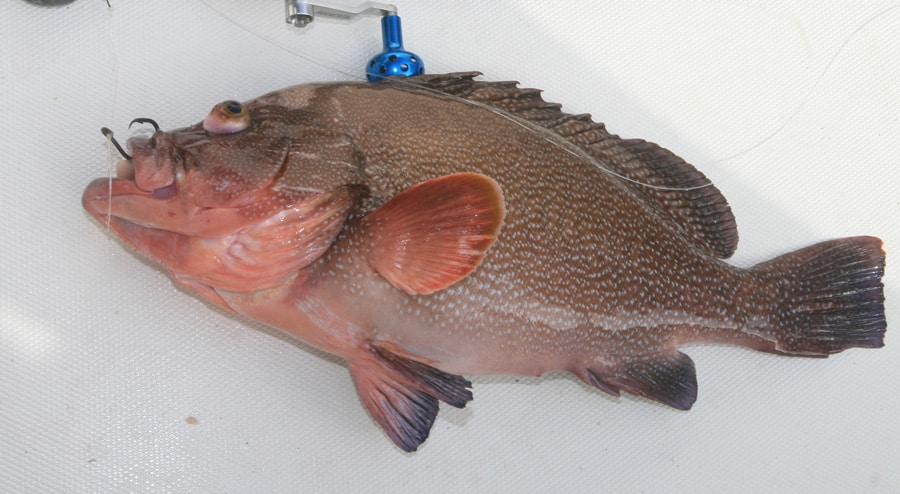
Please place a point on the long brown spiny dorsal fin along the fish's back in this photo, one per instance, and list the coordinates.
(675, 189)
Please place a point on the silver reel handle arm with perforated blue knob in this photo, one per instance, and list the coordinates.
(392, 61)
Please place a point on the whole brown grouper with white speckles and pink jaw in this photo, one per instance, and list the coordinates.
(442, 226)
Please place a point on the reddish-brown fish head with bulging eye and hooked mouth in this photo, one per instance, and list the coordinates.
(240, 201)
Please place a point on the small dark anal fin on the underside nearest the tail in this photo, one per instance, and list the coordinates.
(667, 378)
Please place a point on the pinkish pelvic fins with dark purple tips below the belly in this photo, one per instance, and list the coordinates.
(402, 394)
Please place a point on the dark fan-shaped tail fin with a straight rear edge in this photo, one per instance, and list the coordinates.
(829, 297)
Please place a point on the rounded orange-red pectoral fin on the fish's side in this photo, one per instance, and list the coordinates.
(435, 233)
